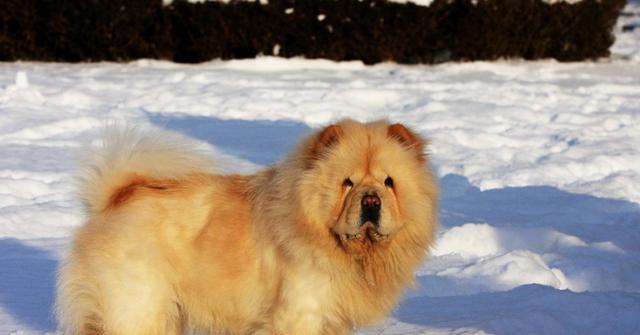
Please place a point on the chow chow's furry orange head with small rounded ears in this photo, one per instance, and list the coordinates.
(366, 183)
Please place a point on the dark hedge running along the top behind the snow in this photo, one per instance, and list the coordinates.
(369, 30)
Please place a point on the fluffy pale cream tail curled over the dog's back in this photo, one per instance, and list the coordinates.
(128, 153)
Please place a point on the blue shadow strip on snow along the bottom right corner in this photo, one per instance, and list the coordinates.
(528, 309)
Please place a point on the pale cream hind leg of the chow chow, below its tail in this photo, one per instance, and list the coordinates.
(104, 294)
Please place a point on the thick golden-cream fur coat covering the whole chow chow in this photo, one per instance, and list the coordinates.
(171, 246)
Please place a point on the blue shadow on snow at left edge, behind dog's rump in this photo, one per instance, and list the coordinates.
(27, 284)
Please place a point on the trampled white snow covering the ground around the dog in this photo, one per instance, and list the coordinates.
(539, 164)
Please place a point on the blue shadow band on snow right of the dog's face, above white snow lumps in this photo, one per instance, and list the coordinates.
(530, 206)
